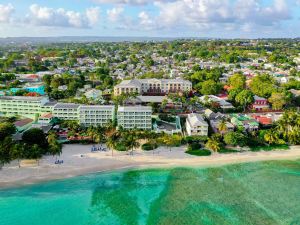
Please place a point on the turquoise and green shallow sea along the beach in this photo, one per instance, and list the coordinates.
(249, 193)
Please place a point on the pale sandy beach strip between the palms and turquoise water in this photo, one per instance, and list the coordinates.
(78, 160)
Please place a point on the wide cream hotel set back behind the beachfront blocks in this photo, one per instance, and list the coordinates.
(152, 86)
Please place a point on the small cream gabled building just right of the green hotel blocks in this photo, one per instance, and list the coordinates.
(196, 125)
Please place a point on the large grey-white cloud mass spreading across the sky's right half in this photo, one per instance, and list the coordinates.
(208, 14)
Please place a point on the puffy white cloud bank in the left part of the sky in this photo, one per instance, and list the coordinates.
(44, 16)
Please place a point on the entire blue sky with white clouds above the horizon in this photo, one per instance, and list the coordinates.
(163, 18)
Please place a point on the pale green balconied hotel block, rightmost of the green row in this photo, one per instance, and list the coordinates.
(131, 117)
